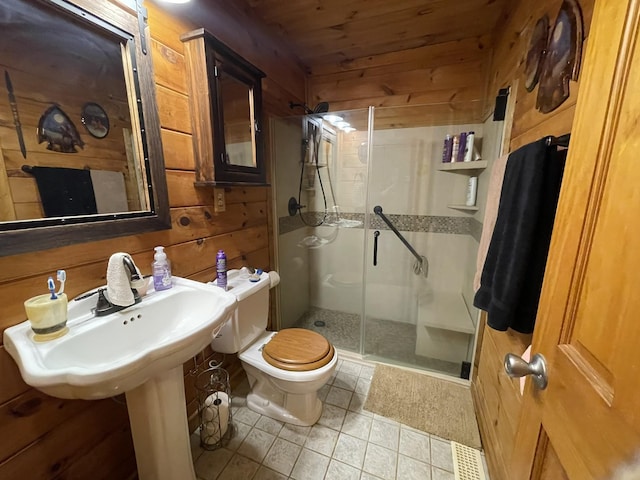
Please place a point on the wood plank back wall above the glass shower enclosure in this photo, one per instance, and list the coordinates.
(449, 73)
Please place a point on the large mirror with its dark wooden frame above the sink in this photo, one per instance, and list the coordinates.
(80, 151)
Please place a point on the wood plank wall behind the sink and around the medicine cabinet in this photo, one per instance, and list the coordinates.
(46, 438)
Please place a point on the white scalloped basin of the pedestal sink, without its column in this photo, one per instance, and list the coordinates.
(105, 356)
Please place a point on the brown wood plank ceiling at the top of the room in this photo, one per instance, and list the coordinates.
(322, 32)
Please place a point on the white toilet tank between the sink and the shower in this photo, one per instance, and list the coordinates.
(250, 319)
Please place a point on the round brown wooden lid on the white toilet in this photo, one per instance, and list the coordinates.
(297, 349)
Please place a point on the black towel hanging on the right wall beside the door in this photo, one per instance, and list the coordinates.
(514, 268)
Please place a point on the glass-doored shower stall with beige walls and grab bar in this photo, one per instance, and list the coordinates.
(376, 245)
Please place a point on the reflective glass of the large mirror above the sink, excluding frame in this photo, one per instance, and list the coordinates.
(43, 125)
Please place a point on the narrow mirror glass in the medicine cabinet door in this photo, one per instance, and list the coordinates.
(237, 105)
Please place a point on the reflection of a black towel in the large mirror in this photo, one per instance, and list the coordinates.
(64, 191)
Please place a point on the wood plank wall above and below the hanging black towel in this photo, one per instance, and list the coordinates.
(497, 397)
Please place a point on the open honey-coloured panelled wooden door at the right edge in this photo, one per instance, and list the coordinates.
(587, 421)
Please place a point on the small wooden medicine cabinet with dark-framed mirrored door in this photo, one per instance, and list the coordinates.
(225, 96)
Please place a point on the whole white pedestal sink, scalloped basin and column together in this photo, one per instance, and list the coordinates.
(138, 351)
